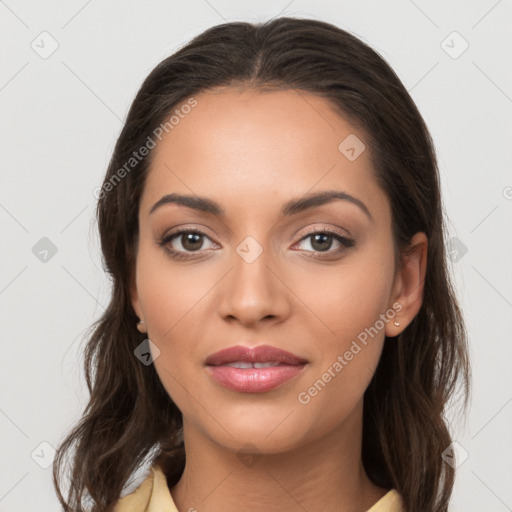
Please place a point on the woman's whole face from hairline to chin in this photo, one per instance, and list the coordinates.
(255, 275)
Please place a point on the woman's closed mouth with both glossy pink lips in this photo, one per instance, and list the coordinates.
(254, 370)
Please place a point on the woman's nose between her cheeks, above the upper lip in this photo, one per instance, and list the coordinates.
(254, 292)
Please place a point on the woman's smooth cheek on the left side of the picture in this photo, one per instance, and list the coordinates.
(175, 300)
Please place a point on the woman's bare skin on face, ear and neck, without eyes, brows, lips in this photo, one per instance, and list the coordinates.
(252, 151)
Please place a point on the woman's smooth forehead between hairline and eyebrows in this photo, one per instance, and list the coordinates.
(261, 146)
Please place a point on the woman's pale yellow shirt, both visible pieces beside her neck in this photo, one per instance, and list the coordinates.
(153, 495)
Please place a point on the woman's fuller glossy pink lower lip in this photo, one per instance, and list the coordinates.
(254, 380)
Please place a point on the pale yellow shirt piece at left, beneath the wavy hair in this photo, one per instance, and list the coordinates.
(151, 494)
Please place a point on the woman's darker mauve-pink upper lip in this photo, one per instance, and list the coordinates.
(259, 354)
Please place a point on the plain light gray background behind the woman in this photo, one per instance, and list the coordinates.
(61, 116)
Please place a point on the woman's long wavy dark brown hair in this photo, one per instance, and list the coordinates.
(130, 415)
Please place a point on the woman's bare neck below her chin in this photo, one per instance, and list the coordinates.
(325, 474)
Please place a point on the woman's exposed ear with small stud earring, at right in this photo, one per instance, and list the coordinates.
(409, 283)
